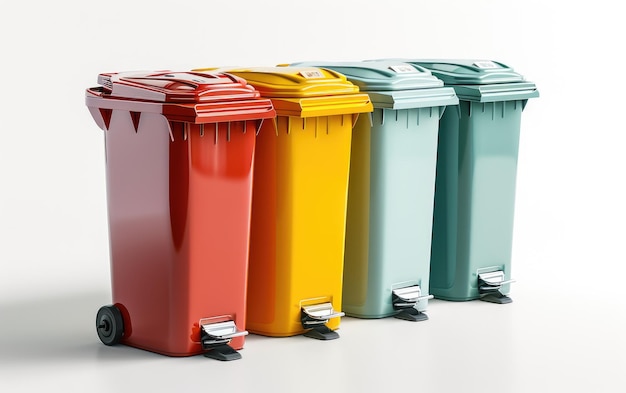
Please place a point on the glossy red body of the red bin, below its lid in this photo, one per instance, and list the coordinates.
(172, 264)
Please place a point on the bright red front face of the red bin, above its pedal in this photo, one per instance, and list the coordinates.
(218, 222)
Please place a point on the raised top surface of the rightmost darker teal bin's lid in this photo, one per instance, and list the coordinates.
(469, 72)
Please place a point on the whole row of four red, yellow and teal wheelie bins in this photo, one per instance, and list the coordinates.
(223, 223)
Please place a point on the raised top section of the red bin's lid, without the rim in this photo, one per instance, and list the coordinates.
(176, 87)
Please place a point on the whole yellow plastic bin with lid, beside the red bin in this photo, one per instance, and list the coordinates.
(299, 200)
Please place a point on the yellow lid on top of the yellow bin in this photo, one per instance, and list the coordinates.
(304, 91)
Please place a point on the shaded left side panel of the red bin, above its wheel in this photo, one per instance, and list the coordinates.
(139, 227)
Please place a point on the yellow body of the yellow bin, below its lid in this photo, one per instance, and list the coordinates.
(298, 221)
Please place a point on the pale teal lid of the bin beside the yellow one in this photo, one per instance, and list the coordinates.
(392, 84)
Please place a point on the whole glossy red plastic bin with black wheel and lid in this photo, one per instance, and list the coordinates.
(179, 166)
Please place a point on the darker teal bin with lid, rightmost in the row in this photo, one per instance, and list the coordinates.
(476, 175)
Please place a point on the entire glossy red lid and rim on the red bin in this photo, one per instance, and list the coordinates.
(196, 97)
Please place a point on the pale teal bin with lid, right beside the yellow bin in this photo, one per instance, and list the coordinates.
(391, 189)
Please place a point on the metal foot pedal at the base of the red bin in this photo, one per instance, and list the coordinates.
(215, 338)
